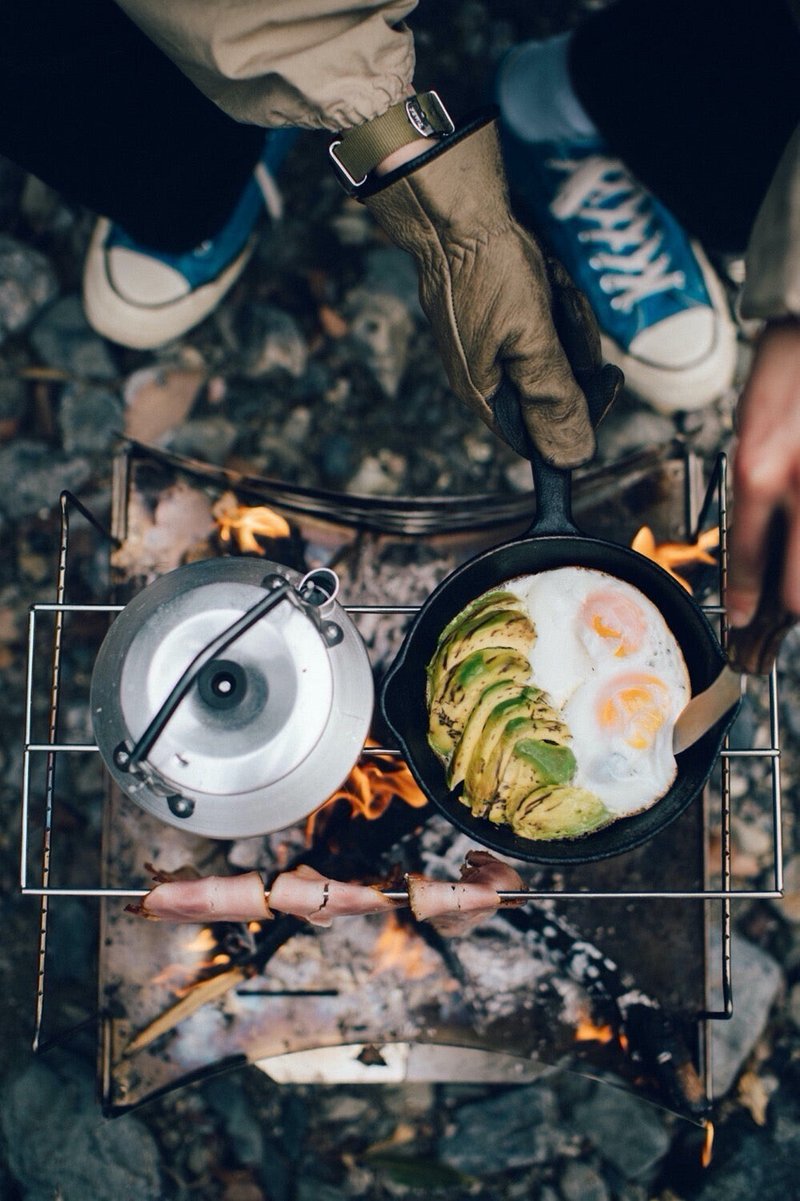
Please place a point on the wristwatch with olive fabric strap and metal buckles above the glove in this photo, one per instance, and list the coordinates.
(359, 152)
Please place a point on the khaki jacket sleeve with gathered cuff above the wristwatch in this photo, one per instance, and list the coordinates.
(317, 64)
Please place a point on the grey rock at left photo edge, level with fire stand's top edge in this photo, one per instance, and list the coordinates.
(34, 476)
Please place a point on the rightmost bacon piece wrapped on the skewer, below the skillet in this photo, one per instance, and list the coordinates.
(456, 910)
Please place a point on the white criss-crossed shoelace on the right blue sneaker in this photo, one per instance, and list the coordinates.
(623, 228)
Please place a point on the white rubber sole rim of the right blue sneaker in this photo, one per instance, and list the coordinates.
(685, 389)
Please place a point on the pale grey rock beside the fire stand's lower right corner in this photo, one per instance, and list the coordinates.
(756, 982)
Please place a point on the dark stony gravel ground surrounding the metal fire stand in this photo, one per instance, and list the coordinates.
(329, 310)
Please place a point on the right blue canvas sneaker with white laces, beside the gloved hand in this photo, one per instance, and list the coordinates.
(661, 309)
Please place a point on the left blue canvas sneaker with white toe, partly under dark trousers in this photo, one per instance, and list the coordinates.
(142, 298)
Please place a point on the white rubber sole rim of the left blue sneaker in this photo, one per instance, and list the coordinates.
(147, 327)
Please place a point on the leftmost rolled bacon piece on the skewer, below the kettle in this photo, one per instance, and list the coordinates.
(206, 900)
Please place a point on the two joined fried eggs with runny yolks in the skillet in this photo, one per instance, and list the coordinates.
(608, 660)
